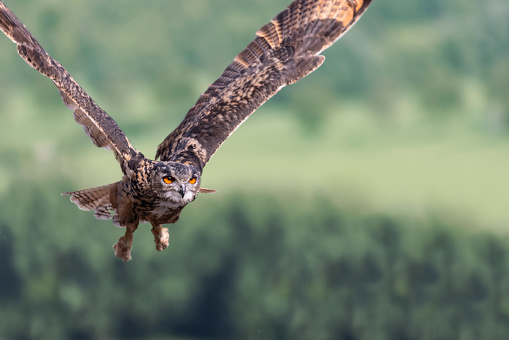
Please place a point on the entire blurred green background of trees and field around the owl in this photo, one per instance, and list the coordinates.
(368, 201)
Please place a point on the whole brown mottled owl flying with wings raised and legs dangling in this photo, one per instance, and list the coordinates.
(284, 50)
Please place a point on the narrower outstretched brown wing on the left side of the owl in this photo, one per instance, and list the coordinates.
(100, 127)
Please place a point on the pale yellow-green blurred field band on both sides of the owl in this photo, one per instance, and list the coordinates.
(415, 168)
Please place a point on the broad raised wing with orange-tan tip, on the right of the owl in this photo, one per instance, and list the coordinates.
(284, 51)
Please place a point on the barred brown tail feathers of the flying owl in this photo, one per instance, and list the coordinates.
(96, 199)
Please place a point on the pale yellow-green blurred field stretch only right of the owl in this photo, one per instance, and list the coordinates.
(416, 169)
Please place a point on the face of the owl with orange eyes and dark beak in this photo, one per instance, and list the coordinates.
(176, 182)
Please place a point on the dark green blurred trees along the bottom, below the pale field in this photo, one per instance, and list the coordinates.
(248, 267)
